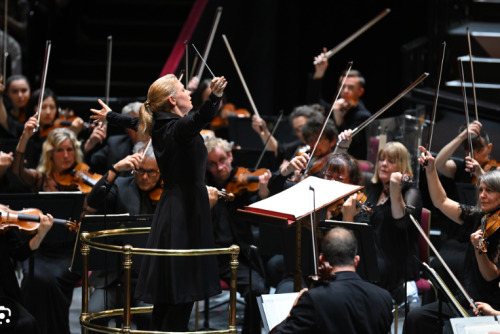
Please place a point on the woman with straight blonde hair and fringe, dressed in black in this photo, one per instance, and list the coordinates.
(393, 201)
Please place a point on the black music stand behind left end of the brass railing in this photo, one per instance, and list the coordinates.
(93, 223)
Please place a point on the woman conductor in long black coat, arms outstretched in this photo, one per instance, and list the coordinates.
(181, 220)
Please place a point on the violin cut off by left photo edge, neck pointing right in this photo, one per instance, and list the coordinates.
(27, 220)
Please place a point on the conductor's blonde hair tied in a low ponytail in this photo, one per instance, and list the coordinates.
(158, 95)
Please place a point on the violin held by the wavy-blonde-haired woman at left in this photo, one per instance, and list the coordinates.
(78, 178)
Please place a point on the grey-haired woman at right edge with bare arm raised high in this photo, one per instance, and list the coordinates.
(481, 275)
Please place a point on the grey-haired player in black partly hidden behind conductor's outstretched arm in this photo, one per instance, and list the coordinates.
(102, 151)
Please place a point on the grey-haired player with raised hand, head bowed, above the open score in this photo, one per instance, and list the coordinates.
(298, 117)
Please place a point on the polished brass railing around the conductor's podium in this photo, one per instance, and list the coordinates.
(128, 251)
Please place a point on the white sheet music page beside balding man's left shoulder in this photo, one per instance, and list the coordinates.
(277, 307)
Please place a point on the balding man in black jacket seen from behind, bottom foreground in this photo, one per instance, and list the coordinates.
(346, 304)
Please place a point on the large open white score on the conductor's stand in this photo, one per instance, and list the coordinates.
(298, 200)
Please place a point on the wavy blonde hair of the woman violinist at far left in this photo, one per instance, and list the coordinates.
(54, 139)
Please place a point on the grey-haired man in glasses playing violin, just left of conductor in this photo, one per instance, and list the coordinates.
(133, 194)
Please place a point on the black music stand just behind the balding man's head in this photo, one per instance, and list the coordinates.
(367, 267)
